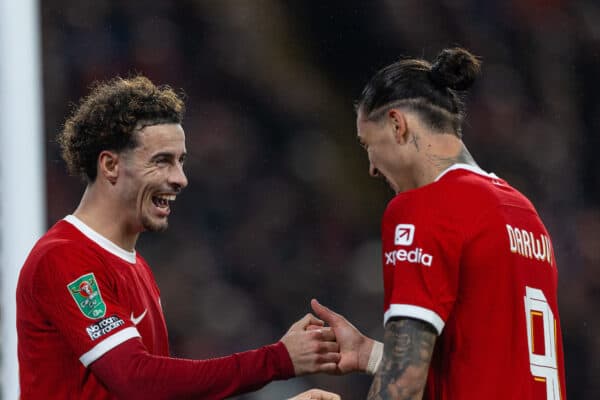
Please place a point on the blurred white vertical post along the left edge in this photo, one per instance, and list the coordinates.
(22, 209)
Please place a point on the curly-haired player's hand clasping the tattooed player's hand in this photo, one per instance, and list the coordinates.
(312, 350)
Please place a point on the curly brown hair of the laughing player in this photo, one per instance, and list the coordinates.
(110, 115)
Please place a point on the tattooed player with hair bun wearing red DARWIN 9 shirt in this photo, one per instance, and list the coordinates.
(470, 277)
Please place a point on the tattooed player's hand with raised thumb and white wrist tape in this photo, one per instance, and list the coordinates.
(355, 348)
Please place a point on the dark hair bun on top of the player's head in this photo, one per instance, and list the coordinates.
(455, 68)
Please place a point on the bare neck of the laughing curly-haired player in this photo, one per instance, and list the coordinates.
(97, 212)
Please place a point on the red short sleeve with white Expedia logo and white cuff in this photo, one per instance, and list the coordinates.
(421, 257)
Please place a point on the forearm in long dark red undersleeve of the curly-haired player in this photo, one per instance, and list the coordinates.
(129, 371)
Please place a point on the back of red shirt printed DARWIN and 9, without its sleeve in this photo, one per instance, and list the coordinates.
(502, 337)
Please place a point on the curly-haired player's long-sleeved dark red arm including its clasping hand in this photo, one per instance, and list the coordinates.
(129, 371)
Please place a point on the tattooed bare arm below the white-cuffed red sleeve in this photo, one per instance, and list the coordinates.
(407, 349)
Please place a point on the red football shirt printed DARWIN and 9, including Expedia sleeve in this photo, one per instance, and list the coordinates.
(470, 255)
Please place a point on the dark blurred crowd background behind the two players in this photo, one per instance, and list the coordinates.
(280, 207)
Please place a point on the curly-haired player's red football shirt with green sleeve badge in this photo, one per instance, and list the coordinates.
(79, 296)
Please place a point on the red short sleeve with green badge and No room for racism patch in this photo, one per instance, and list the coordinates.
(75, 291)
